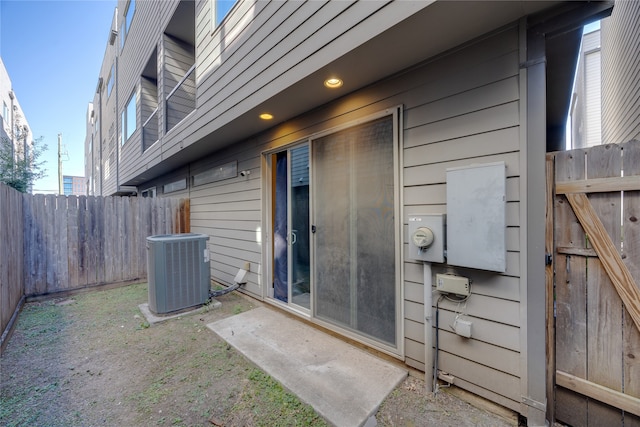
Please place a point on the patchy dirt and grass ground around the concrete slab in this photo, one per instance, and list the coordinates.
(93, 360)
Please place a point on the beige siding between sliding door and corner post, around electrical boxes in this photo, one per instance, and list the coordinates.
(472, 116)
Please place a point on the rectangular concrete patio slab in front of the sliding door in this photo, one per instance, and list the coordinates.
(342, 383)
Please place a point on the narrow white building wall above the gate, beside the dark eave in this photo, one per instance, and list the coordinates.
(586, 107)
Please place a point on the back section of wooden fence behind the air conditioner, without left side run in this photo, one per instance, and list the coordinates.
(74, 242)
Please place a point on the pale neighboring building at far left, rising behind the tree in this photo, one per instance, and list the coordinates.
(14, 124)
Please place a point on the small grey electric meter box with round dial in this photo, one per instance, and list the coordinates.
(427, 237)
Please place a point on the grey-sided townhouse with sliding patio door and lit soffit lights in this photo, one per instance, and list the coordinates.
(317, 196)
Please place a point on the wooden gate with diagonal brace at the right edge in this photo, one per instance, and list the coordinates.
(595, 363)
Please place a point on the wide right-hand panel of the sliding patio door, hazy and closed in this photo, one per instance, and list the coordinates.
(354, 252)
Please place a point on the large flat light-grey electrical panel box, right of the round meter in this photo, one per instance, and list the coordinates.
(476, 216)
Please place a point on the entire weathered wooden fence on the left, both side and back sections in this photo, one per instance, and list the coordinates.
(53, 243)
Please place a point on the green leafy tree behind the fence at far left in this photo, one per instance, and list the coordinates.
(20, 164)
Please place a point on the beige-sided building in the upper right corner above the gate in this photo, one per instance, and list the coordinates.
(620, 71)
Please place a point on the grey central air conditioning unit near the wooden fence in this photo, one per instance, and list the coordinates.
(178, 271)
